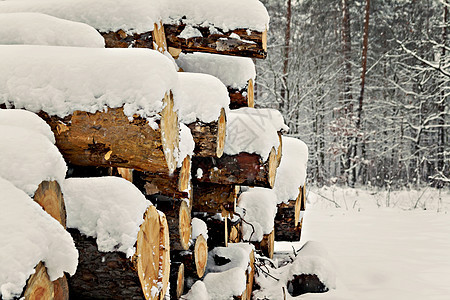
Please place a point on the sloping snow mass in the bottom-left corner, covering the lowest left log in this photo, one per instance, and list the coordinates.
(29, 235)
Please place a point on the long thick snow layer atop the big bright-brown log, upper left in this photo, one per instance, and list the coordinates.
(60, 80)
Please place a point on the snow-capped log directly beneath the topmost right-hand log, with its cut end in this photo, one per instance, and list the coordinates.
(237, 73)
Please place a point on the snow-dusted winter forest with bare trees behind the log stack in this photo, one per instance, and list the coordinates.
(365, 84)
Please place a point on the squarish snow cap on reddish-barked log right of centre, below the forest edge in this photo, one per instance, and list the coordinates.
(249, 132)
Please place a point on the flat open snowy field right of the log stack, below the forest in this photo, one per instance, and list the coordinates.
(383, 245)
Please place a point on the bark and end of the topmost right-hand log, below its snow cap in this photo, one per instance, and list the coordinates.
(249, 44)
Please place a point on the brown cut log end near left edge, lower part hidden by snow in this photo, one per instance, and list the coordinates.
(49, 196)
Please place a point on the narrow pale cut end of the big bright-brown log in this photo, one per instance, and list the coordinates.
(169, 132)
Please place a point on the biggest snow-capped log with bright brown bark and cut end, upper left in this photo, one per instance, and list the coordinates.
(106, 107)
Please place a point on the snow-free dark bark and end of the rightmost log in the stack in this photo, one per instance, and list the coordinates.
(287, 219)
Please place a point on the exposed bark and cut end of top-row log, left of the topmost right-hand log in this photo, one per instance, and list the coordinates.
(152, 39)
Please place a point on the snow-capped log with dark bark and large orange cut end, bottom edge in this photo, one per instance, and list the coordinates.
(122, 238)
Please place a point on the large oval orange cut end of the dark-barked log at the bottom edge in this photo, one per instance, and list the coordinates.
(152, 253)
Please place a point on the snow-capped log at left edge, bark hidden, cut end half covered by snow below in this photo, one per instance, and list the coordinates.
(30, 160)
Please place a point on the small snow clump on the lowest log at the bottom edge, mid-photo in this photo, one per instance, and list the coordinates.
(225, 285)
